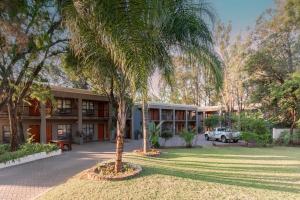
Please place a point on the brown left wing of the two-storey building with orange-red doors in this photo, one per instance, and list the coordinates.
(78, 115)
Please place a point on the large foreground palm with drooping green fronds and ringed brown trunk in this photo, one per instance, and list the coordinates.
(127, 40)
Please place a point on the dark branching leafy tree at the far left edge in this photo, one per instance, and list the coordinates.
(30, 36)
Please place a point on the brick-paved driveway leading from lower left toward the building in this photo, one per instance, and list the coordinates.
(29, 180)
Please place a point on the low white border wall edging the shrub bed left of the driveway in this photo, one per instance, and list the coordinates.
(29, 158)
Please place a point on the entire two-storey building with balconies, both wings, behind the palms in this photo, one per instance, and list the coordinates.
(82, 116)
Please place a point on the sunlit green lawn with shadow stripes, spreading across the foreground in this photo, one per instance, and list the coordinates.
(199, 173)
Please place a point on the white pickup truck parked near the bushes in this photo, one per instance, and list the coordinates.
(223, 134)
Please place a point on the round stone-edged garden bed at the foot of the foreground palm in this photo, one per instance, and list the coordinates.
(105, 171)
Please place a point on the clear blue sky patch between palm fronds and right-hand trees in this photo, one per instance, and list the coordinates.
(242, 13)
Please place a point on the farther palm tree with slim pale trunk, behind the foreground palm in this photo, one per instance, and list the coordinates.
(181, 26)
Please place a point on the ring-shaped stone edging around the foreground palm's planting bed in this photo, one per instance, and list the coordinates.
(90, 174)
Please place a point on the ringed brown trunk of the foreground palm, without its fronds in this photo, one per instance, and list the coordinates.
(121, 121)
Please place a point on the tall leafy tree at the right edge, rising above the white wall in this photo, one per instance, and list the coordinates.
(274, 57)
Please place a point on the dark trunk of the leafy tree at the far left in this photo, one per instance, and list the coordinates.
(12, 115)
